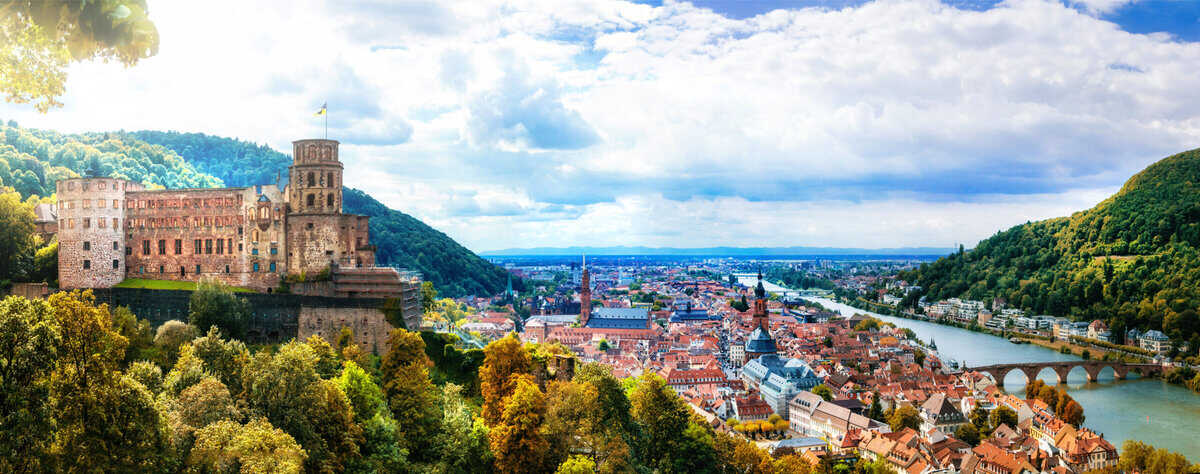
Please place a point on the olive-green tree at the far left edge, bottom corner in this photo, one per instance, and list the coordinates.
(29, 343)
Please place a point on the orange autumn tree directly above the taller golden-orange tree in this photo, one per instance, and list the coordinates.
(503, 361)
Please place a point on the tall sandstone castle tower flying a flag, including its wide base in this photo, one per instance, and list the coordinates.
(317, 236)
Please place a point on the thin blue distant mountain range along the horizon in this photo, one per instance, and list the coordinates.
(718, 251)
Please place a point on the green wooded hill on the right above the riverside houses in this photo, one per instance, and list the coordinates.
(1132, 260)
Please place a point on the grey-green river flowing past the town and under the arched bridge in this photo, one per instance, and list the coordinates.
(1147, 410)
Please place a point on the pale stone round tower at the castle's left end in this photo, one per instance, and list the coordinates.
(92, 244)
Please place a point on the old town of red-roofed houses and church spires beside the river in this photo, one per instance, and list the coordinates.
(782, 370)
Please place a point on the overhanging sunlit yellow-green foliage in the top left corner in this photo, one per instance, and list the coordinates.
(41, 38)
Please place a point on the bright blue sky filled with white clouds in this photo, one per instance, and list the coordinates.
(837, 123)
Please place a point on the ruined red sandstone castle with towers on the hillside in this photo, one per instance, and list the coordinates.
(111, 230)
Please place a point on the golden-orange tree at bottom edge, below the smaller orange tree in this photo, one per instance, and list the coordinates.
(517, 440)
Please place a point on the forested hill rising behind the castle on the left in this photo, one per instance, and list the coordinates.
(32, 160)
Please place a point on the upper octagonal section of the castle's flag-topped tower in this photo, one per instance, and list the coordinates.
(315, 178)
